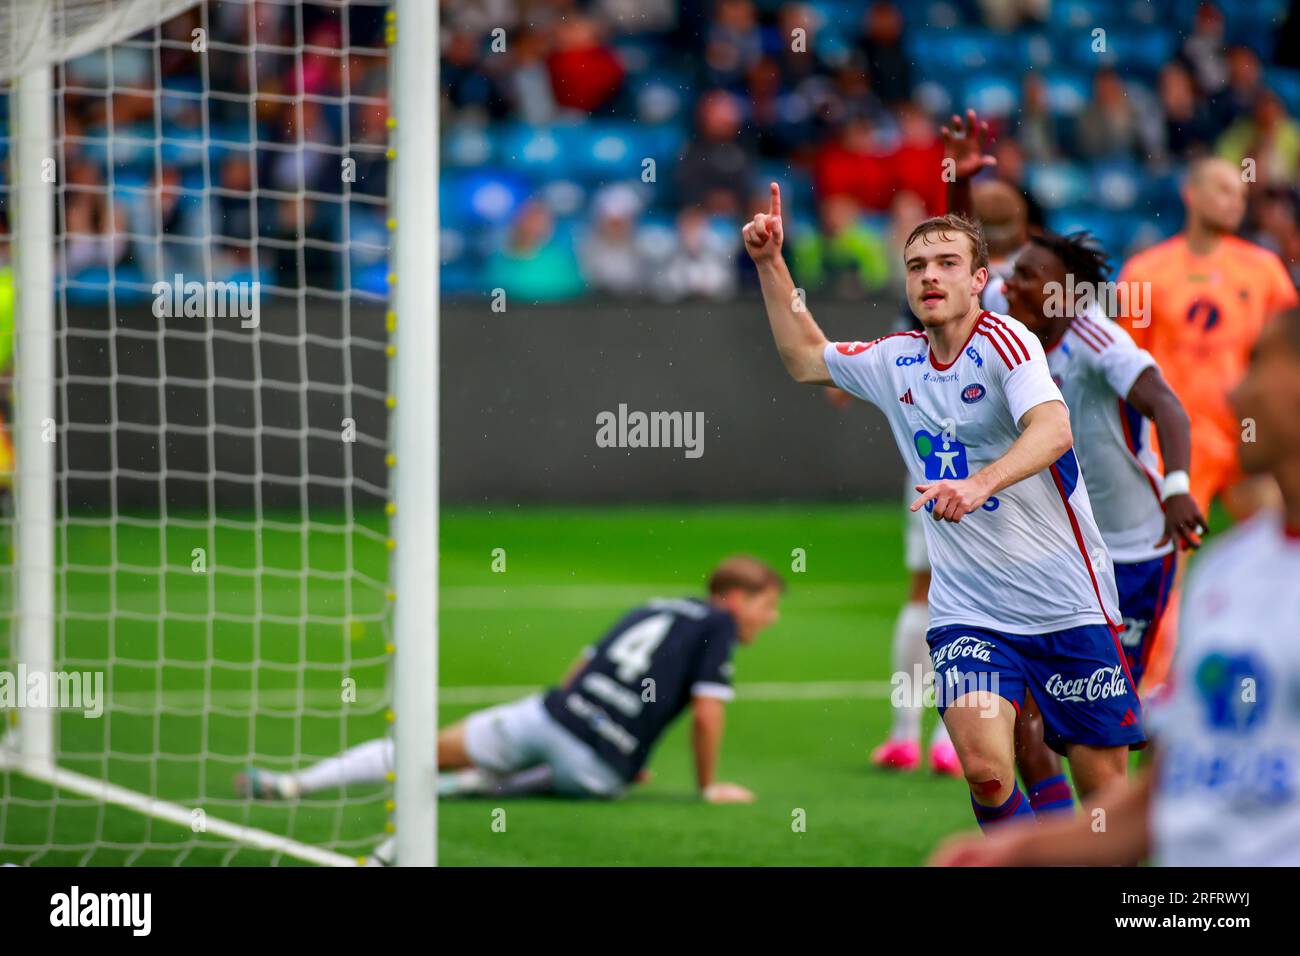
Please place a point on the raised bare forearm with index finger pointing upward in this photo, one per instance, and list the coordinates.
(799, 340)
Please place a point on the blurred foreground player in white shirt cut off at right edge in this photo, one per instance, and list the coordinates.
(1225, 785)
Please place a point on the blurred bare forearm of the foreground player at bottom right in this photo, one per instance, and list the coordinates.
(1067, 841)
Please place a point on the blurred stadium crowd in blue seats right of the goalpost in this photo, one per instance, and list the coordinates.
(616, 148)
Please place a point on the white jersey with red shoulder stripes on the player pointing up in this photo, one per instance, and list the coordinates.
(1032, 560)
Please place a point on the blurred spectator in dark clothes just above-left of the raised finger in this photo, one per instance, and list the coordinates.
(716, 172)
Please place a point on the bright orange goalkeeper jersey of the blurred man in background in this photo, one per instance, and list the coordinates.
(1206, 313)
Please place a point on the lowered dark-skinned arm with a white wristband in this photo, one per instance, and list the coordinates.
(1152, 397)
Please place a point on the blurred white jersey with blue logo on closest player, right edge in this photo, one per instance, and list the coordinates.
(1228, 728)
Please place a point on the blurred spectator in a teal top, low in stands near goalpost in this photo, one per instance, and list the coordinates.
(534, 265)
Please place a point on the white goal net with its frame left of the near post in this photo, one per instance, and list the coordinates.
(218, 590)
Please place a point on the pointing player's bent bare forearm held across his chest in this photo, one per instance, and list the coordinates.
(1045, 438)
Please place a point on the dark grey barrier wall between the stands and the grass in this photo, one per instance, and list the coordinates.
(525, 395)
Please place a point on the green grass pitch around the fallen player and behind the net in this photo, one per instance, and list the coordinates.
(799, 737)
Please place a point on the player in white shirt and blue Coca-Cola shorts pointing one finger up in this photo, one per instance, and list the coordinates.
(1024, 592)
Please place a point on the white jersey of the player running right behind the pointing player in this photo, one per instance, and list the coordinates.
(1097, 365)
